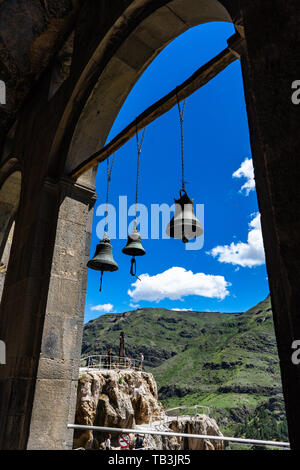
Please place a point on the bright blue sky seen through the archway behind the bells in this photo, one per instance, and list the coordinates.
(216, 146)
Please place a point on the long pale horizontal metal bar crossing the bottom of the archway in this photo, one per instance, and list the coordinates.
(180, 434)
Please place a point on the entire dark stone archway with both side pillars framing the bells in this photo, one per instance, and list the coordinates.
(44, 351)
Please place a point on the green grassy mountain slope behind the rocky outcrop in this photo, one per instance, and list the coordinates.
(228, 362)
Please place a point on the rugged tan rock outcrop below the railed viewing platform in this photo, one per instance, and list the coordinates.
(128, 399)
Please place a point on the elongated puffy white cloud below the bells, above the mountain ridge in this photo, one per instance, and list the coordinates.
(176, 283)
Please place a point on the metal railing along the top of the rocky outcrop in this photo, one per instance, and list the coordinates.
(110, 362)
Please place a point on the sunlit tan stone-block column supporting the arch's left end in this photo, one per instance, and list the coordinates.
(41, 317)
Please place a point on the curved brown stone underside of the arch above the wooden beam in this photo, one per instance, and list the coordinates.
(128, 63)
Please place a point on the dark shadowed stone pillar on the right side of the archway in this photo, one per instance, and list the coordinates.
(270, 65)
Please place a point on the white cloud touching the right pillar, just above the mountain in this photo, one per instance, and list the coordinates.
(242, 254)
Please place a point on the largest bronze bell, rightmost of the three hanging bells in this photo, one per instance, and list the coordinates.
(184, 225)
